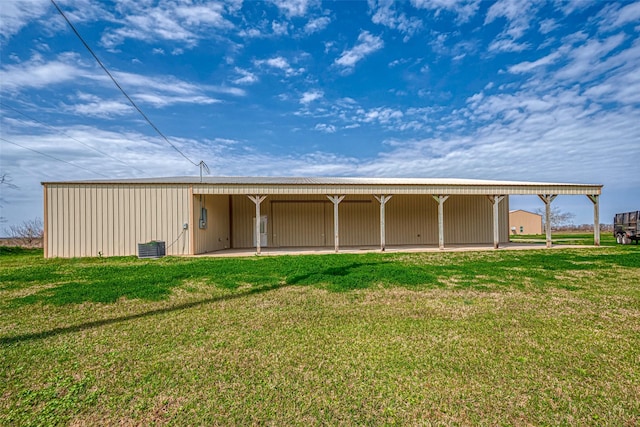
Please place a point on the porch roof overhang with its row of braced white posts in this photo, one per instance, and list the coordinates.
(336, 189)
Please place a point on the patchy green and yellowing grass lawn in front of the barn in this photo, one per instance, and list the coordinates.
(538, 337)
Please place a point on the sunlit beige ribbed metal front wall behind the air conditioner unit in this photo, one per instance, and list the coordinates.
(111, 220)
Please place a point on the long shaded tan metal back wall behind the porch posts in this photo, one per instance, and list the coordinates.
(307, 220)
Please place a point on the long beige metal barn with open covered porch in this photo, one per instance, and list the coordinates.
(195, 216)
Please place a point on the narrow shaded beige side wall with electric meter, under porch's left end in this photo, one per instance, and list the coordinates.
(216, 235)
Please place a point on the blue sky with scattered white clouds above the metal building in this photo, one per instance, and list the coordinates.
(508, 90)
